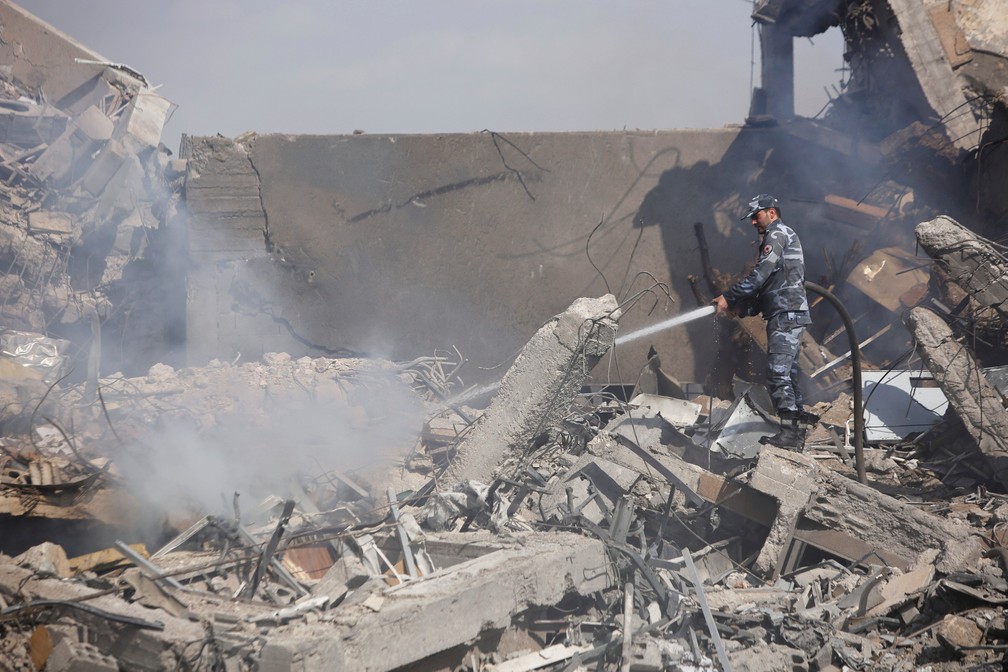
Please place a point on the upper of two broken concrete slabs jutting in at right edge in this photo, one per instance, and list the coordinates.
(969, 259)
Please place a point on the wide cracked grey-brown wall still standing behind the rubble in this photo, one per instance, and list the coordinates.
(397, 245)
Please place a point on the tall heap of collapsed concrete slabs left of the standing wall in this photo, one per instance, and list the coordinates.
(85, 189)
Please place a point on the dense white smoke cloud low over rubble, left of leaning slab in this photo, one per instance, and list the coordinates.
(230, 437)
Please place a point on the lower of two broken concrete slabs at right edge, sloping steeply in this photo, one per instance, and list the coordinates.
(976, 401)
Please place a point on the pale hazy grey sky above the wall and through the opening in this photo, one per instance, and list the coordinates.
(441, 66)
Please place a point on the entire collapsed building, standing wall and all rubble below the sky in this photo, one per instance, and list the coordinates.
(361, 402)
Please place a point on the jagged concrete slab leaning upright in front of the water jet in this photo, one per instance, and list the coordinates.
(538, 390)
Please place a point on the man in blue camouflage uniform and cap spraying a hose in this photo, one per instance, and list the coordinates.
(776, 288)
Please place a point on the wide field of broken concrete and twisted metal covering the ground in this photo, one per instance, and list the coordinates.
(576, 531)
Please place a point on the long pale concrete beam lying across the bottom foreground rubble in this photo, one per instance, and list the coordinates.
(412, 621)
